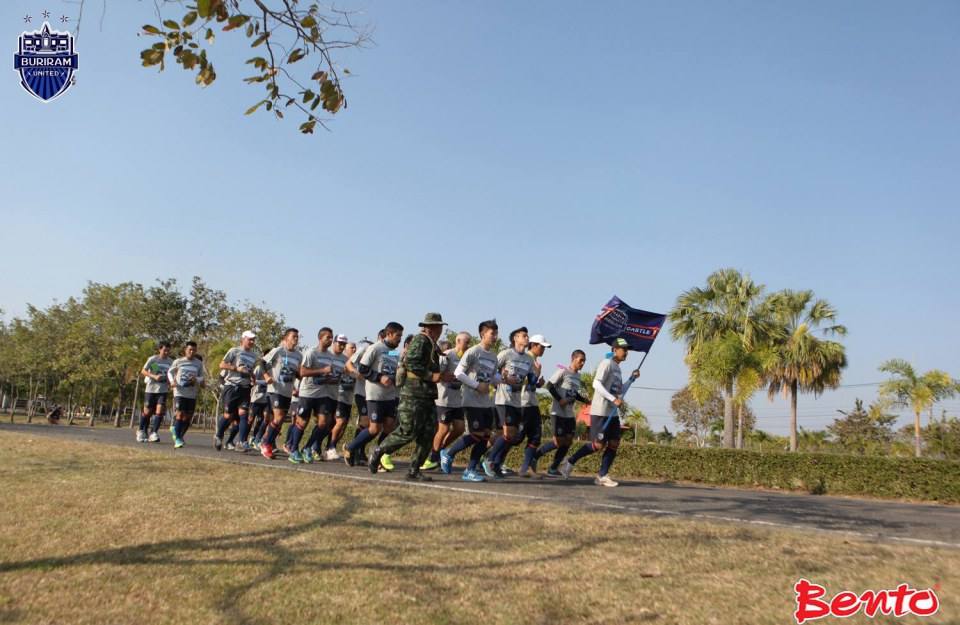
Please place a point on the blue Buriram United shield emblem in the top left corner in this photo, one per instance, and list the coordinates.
(46, 62)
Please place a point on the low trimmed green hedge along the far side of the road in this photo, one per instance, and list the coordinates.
(834, 474)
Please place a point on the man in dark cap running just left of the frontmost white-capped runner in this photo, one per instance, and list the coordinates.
(514, 365)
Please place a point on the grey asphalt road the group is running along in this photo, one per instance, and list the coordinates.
(867, 519)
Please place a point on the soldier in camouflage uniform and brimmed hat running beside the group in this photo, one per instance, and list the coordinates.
(417, 379)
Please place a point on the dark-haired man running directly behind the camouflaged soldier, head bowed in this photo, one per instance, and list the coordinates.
(378, 366)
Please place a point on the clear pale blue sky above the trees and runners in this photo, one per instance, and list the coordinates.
(519, 160)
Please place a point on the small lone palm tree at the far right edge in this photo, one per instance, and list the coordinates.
(917, 392)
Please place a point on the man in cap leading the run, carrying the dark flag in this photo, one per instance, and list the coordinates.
(604, 429)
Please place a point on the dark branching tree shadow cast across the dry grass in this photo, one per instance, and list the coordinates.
(277, 551)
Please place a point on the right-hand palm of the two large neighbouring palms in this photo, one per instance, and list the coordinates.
(802, 362)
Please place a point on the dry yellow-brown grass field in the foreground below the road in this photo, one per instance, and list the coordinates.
(95, 534)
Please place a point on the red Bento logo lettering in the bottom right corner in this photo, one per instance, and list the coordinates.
(903, 601)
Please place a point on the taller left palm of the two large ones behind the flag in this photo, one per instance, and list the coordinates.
(729, 306)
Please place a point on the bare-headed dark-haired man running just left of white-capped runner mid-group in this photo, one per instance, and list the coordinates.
(319, 378)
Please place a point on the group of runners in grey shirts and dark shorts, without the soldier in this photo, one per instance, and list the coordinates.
(486, 401)
